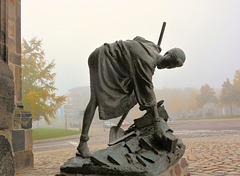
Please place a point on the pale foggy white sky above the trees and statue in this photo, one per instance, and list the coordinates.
(207, 30)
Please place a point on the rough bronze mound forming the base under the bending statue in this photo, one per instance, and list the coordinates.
(140, 151)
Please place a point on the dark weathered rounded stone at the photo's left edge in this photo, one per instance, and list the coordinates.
(6, 119)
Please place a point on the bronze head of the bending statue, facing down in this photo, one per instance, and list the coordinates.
(172, 59)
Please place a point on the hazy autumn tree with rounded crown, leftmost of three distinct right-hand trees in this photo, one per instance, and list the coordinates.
(207, 95)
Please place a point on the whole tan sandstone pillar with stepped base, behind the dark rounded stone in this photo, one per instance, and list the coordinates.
(19, 126)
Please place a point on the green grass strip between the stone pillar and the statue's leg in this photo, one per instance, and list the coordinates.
(46, 133)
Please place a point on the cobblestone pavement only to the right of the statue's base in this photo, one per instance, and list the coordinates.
(218, 156)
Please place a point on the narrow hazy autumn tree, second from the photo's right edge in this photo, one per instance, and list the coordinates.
(227, 94)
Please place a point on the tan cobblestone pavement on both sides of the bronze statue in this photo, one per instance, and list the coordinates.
(206, 154)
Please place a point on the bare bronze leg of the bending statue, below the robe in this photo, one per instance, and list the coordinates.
(87, 120)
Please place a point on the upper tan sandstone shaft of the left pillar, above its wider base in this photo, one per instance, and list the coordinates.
(13, 44)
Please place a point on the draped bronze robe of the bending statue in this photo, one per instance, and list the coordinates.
(121, 76)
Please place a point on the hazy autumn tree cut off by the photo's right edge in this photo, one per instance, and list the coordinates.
(236, 87)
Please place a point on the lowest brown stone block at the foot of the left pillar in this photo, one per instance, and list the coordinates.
(23, 160)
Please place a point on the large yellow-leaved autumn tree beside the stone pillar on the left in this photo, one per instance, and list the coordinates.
(39, 91)
